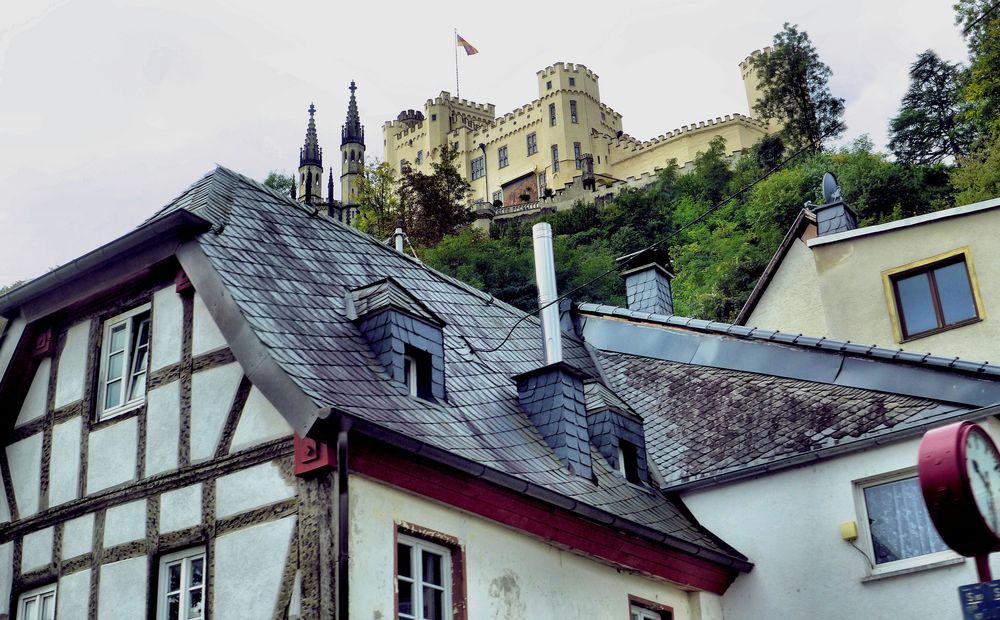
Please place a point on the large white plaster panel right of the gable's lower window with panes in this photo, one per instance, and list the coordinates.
(249, 563)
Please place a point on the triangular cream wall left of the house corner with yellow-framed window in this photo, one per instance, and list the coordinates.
(792, 301)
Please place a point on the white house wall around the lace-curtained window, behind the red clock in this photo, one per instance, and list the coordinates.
(787, 523)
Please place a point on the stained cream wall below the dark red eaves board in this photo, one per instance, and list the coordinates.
(509, 575)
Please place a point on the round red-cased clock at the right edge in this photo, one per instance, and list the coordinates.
(959, 470)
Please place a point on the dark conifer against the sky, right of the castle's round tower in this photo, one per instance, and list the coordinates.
(929, 128)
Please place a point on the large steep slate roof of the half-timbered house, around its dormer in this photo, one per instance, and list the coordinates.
(288, 270)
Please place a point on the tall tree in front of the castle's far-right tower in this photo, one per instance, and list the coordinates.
(794, 90)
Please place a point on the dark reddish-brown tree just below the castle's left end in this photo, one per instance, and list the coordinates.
(434, 204)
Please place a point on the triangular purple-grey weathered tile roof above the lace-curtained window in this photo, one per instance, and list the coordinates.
(703, 422)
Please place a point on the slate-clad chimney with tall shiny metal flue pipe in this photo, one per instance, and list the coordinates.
(552, 396)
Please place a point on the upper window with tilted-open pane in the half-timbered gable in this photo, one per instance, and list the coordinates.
(124, 362)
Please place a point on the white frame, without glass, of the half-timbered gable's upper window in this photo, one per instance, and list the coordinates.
(130, 320)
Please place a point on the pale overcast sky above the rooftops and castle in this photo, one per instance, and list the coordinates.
(110, 108)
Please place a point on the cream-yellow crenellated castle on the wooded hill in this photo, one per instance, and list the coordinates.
(566, 138)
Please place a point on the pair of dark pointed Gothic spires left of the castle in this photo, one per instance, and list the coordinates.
(310, 176)
